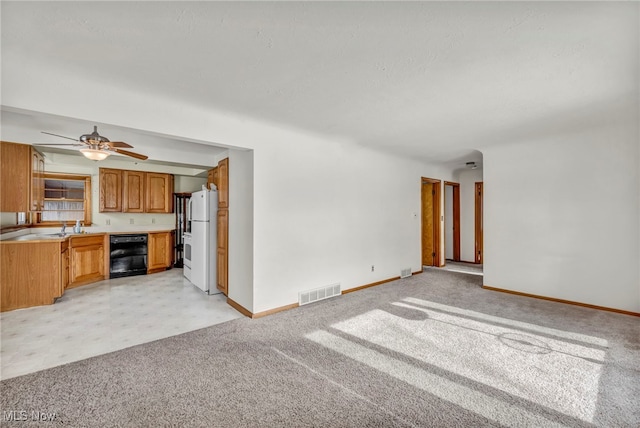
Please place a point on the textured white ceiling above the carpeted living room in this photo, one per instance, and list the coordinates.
(432, 80)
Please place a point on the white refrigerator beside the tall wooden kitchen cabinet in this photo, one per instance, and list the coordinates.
(203, 214)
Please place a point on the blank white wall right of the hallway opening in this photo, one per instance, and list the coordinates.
(561, 217)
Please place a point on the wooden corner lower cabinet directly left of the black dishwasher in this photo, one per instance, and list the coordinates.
(86, 258)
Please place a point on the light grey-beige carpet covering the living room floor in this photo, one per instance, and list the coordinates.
(433, 350)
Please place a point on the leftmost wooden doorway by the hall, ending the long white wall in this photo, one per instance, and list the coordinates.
(430, 195)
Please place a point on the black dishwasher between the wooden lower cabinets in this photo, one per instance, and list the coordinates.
(128, 255)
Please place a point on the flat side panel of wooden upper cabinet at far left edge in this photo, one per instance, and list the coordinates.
(15, 177)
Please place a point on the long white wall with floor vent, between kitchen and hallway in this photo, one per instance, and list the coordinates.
(326, 212)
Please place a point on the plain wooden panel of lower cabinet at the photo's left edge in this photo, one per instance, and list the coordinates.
(30, 274)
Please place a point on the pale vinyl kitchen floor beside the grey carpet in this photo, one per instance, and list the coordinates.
(104, 317)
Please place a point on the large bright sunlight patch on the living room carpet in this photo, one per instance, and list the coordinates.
(557, 374)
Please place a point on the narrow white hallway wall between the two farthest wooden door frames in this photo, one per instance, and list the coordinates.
(467, 179)
